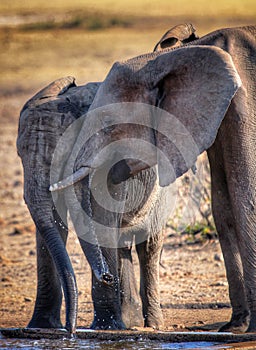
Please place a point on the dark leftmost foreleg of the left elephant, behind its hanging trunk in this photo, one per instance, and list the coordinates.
(49, 292)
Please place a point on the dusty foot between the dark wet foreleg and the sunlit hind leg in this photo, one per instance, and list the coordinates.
(132, 315)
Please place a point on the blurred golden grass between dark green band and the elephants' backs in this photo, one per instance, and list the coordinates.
(32, 59)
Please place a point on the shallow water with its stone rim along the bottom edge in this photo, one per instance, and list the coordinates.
(37, 339)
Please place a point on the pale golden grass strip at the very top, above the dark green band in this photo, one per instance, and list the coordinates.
(134, 7)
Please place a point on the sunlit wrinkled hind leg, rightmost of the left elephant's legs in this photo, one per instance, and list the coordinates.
(149, 256)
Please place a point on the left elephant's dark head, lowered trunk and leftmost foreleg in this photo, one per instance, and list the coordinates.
(43, 120)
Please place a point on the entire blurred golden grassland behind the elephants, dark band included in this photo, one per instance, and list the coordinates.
(62, 42)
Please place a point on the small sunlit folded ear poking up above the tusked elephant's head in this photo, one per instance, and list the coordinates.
(176, 36)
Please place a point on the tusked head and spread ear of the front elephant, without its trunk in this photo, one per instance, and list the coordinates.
(167, 107)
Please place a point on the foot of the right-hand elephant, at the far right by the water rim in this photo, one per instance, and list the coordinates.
(238, 324)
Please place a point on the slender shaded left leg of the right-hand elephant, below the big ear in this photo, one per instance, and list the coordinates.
(226, 228)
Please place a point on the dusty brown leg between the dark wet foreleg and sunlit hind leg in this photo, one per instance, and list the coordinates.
(130, 299)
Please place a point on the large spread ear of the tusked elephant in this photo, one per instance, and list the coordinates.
(195, 86)
